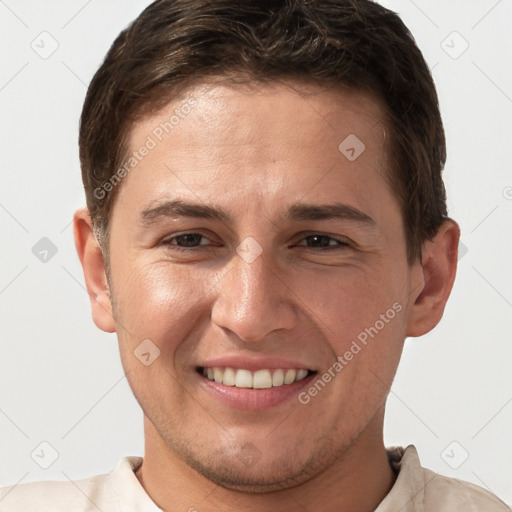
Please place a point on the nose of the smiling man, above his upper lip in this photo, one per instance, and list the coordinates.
(253, 299)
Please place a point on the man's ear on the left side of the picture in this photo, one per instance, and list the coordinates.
(93, 265)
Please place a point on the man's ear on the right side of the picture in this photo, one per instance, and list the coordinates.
(433, 279)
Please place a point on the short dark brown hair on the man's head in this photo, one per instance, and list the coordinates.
(342, 43)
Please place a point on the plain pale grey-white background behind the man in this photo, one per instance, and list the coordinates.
(61, 381)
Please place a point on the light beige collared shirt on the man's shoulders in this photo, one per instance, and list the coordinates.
(416, 490)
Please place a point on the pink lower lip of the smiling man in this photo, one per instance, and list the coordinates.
(254, 399)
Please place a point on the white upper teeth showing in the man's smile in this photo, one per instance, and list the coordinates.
(260, 379)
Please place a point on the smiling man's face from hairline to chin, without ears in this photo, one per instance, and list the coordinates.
(277, 281)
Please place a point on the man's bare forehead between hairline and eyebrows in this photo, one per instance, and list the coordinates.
(274, 142)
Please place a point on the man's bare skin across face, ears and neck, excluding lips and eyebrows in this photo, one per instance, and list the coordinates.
(254, 151)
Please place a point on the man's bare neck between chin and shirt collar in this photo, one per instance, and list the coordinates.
(358, 480)
